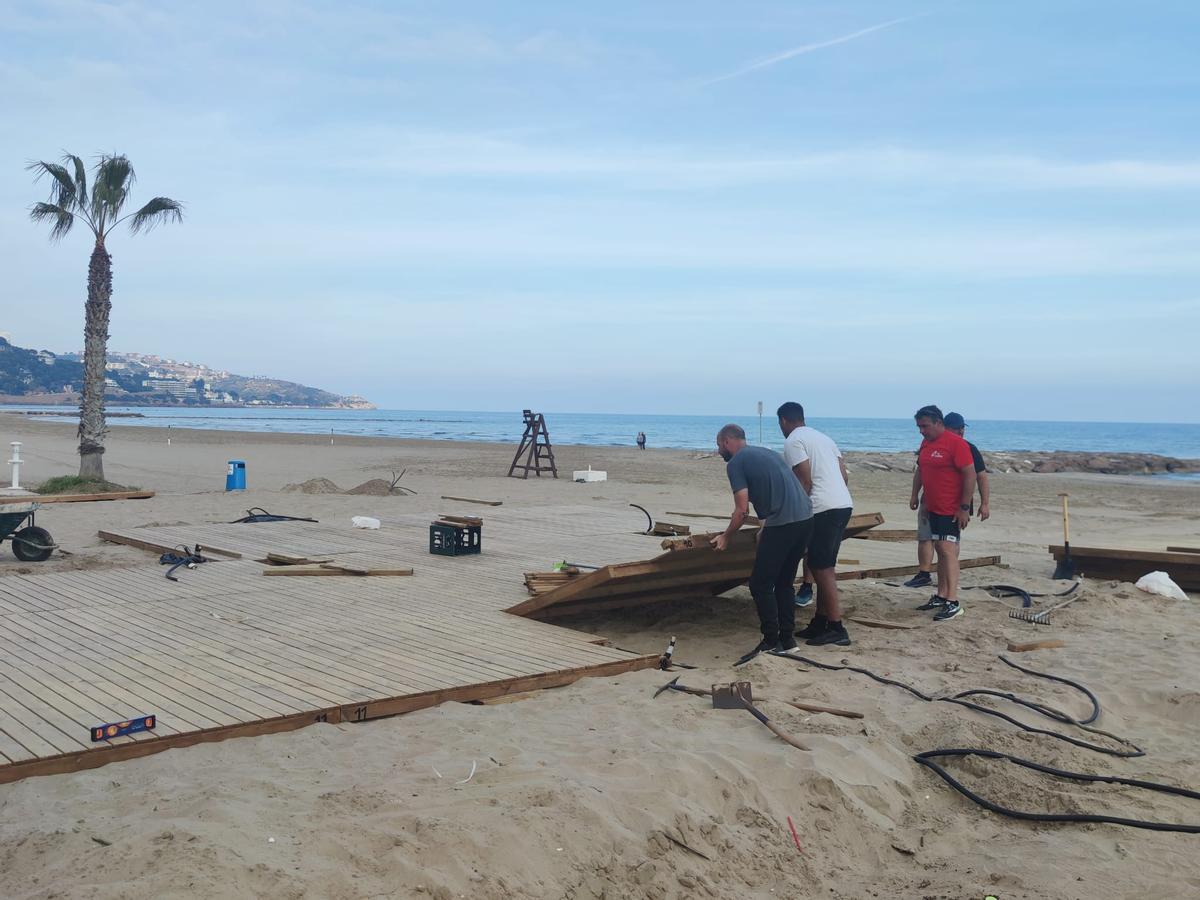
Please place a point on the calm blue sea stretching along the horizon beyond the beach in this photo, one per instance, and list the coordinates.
(687, 433)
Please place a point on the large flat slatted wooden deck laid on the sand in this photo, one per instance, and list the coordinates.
(225, 652)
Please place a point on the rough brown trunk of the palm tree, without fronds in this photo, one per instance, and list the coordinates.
(95, 355)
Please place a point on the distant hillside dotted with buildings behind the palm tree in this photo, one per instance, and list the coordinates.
(137, 380)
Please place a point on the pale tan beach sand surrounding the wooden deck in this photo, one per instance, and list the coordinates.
(577, 790)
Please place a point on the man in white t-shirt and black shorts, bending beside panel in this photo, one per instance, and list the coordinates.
(818, 464)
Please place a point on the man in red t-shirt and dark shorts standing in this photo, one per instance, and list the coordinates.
(946, 473)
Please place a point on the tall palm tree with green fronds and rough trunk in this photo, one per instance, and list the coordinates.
(112, 178)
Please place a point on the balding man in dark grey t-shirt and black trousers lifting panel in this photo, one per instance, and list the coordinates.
(760, 477)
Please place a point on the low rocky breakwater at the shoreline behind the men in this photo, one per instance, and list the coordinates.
(1041, 463)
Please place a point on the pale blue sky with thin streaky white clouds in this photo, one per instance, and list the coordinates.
(631, 207)
